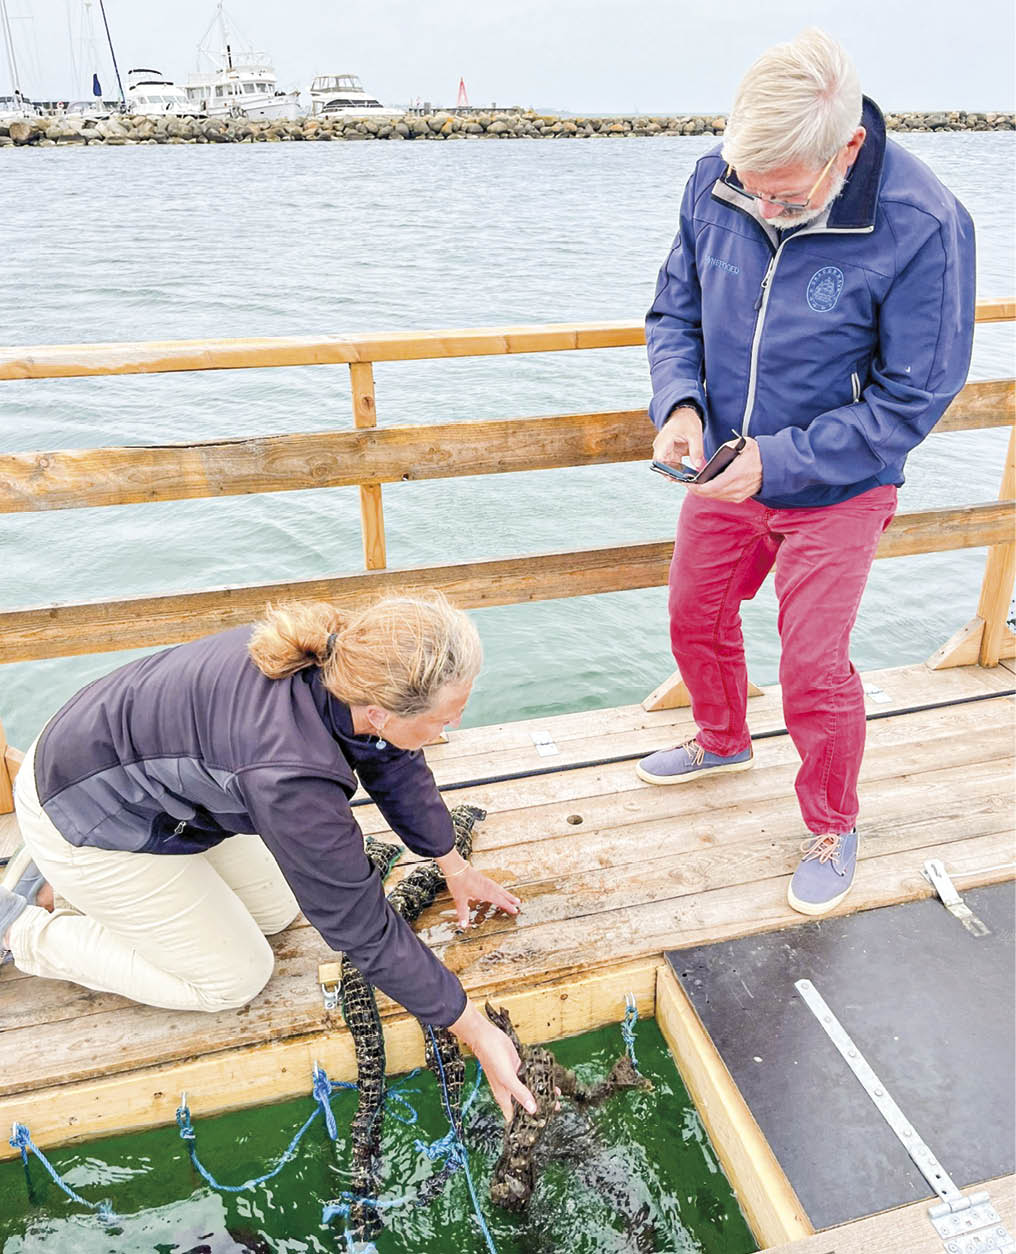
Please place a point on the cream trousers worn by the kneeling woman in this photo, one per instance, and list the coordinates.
(179, 931)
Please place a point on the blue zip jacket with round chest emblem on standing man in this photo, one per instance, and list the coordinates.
(836, 347)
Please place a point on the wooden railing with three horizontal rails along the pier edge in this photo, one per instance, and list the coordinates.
(368, 457)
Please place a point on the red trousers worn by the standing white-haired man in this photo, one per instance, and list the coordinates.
(822, 557)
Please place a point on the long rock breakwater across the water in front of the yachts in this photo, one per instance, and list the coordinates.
(129, 130)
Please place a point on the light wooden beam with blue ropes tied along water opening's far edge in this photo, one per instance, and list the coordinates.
(236, 1079)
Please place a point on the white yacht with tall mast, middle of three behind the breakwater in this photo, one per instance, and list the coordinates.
(236, 83)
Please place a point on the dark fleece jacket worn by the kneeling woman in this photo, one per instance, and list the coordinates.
(181, 751)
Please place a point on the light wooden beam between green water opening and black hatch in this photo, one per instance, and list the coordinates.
(768, 1201)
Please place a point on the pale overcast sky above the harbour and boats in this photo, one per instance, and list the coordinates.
(578, 56)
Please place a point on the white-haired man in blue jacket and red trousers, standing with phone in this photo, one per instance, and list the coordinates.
(818, 307)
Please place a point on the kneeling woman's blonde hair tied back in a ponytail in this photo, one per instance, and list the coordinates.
(397, 654)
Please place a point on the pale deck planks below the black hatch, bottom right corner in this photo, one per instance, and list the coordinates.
(905, 1231)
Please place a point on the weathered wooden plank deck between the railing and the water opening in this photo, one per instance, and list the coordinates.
(613, 872)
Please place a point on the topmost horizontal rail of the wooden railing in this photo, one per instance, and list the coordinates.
(65, 362)
